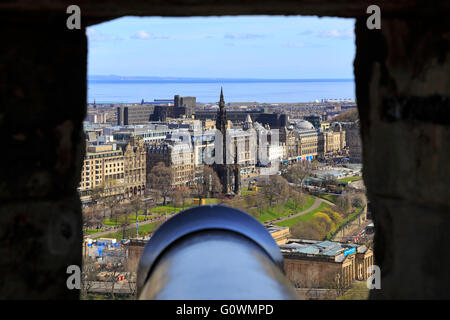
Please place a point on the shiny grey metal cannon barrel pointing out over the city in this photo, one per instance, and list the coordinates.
(212, 252)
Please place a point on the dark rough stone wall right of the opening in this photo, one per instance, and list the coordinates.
(402, 77)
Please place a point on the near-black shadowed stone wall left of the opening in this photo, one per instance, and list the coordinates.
(42, 105)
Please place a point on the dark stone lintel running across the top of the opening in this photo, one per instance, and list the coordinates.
(110, 9)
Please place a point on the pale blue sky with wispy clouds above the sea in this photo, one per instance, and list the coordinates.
(272, 47)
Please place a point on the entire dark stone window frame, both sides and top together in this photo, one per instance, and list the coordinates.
(402, 86)
